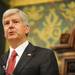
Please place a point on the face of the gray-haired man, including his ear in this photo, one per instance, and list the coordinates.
(14, 27)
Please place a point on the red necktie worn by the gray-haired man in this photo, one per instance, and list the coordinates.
(11, 63)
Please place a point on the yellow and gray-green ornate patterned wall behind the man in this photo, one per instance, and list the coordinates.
(48, 21)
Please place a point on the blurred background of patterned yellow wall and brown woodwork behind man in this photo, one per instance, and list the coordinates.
(52, 26)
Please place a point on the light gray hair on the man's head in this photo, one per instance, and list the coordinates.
(23, 16)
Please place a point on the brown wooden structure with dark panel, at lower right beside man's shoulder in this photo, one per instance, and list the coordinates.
(66, 59)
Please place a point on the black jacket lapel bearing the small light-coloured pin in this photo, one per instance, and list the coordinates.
(25, 58)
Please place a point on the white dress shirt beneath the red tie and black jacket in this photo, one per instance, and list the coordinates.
(19, 50)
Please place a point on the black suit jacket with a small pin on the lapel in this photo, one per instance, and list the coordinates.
(34, 61)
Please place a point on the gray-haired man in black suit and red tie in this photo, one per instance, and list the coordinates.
(30, 60)
